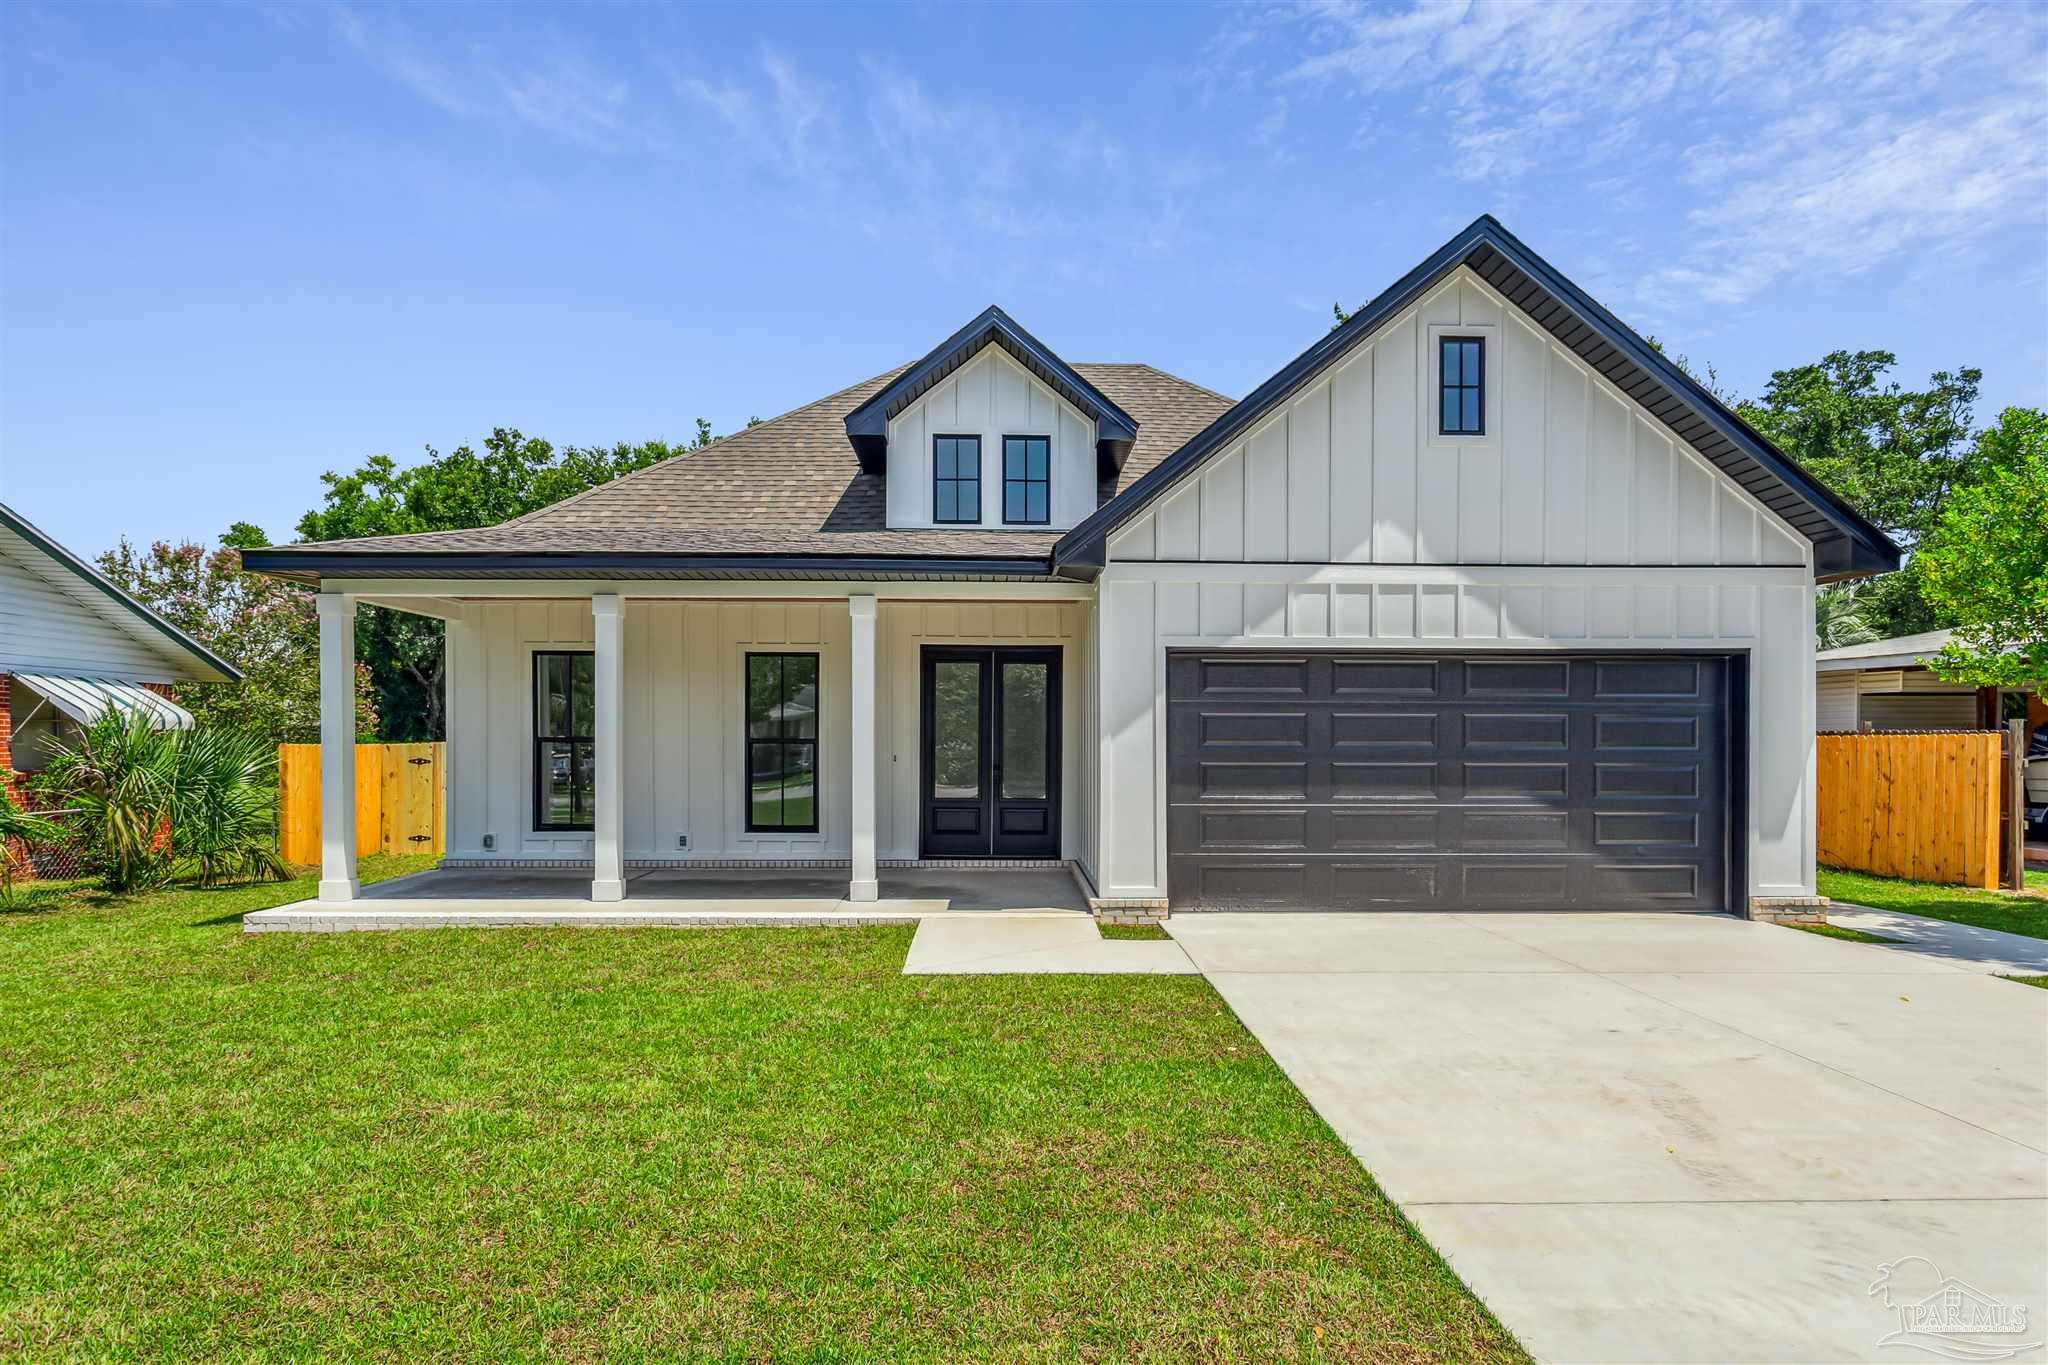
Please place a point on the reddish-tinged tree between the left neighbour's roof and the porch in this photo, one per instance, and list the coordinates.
(263, 627)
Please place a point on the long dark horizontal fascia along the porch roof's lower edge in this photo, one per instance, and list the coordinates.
(308, 566)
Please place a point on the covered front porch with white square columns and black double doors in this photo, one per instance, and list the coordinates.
(781, 746)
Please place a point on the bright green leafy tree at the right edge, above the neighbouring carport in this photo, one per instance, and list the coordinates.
(1986, 566)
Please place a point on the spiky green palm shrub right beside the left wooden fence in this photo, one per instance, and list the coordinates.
(224, 807)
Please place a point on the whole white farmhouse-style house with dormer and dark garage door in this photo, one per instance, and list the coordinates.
(1478, 603)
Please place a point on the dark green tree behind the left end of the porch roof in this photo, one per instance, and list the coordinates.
(468, 488)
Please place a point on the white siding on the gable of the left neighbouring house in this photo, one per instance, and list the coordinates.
(52, 623)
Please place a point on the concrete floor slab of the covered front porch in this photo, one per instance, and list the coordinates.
(452, 897)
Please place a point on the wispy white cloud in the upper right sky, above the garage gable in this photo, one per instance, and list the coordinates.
(1826, 138)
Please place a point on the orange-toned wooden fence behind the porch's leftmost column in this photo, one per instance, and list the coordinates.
(398, 801)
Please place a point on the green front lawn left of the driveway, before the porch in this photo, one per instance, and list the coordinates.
(740, 1145)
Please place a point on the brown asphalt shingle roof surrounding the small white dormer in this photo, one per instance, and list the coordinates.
(792, 486)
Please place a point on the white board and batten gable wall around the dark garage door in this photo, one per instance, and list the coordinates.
(1347, 523)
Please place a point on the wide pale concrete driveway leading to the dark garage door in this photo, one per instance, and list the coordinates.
(1674, 1139)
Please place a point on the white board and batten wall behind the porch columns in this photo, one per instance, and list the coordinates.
(685, 668)
